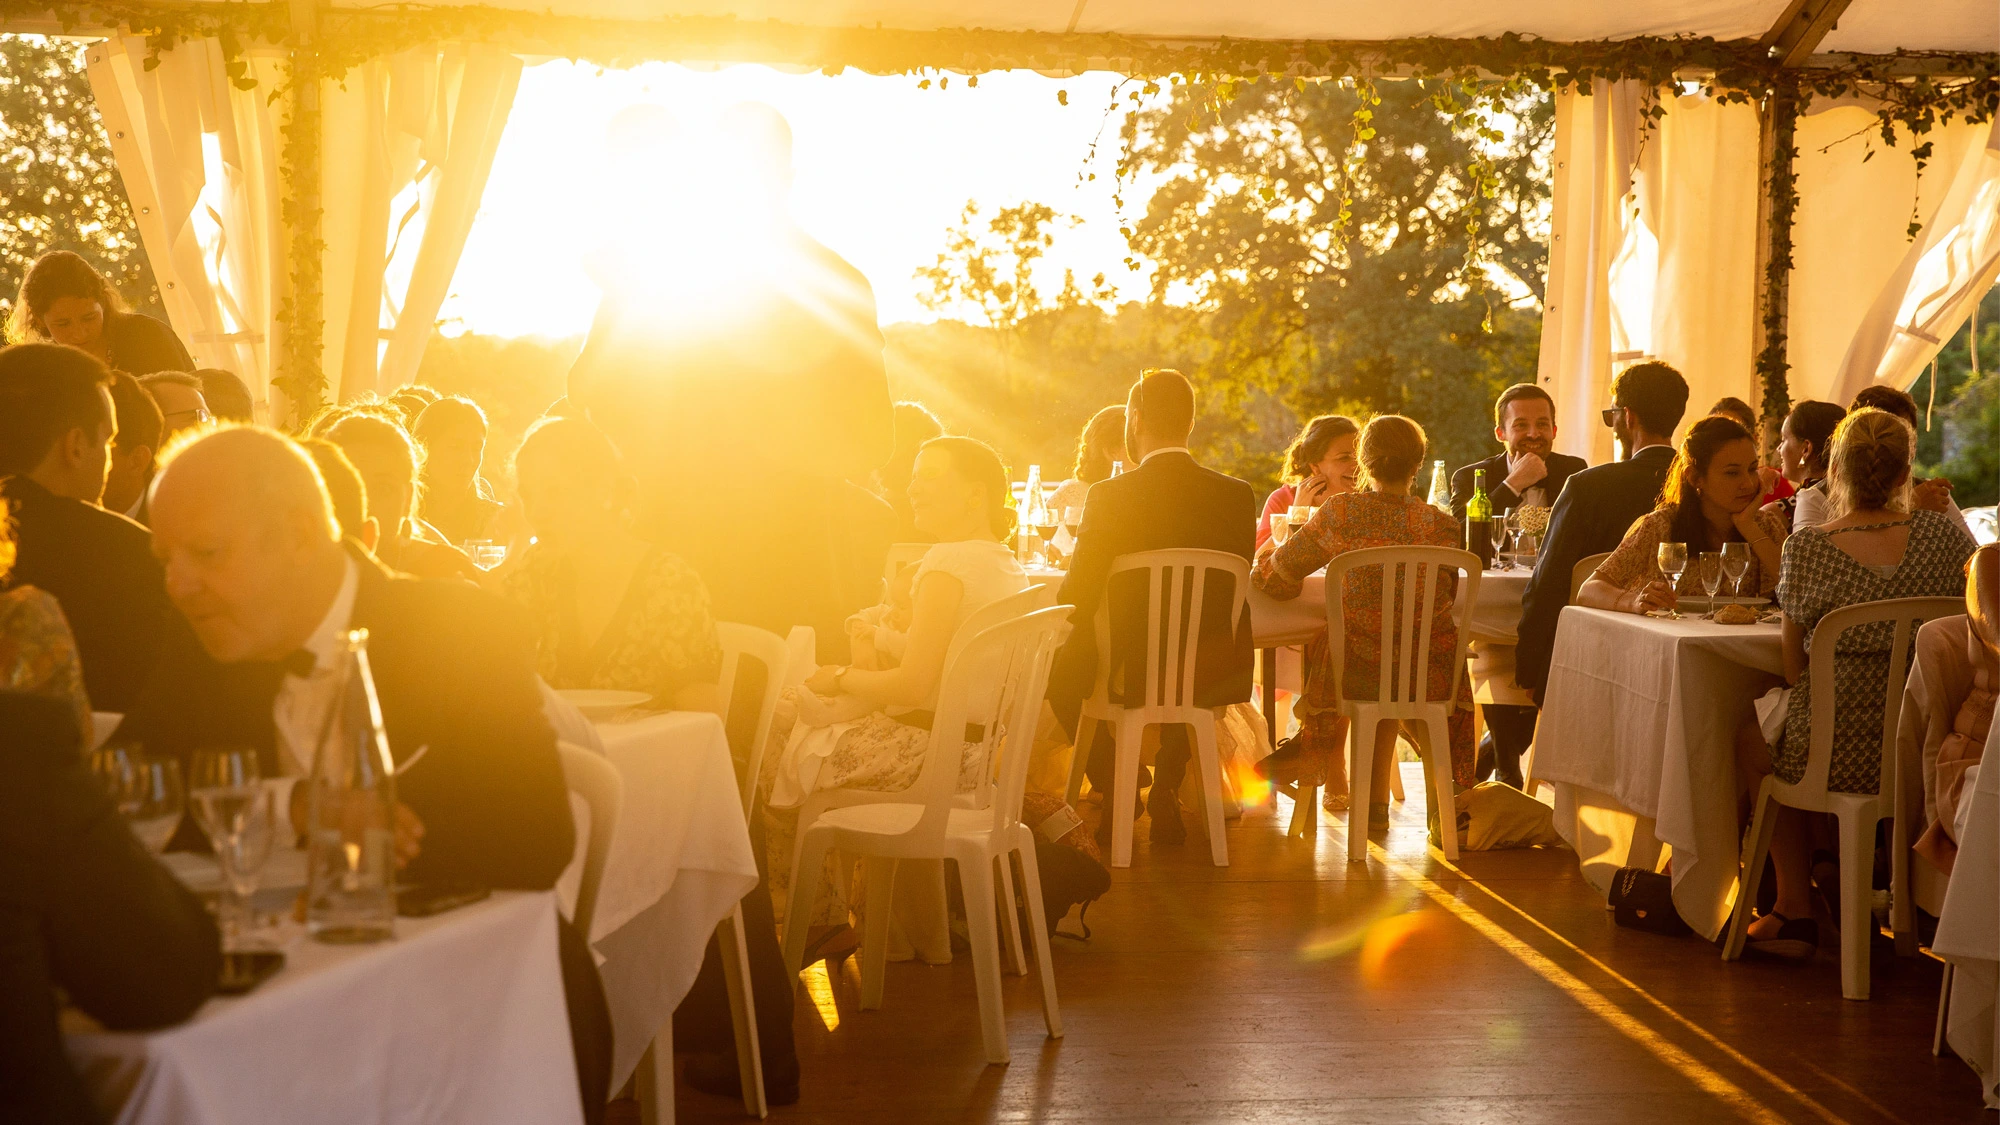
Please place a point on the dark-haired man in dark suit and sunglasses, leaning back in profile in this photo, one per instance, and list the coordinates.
(1599, 505)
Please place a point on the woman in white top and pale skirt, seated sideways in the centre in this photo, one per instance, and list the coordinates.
(859, 728)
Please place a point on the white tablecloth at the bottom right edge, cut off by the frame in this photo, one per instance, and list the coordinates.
(1969, 930)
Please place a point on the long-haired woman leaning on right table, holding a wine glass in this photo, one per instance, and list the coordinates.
(1709, 499)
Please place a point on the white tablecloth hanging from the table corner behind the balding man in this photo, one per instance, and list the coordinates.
(679, 864)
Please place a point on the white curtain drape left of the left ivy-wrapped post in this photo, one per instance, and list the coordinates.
(201, 167)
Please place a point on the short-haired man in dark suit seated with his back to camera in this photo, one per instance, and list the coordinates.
(1167, 503)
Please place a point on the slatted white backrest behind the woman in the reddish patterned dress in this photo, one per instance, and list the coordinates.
(1407, 620)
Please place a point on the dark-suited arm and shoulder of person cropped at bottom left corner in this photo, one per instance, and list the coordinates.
(83, 910)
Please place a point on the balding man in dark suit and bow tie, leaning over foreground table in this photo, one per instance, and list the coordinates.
(265, 586)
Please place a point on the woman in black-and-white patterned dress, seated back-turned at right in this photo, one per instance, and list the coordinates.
(1873, 549)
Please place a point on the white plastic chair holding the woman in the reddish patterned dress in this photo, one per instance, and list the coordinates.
(1405, 674)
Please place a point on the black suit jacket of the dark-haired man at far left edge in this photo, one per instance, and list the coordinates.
(101, 570)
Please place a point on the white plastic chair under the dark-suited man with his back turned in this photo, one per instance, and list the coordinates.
(1175, 590)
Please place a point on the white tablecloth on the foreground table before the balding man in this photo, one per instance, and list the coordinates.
(457, 1020)
